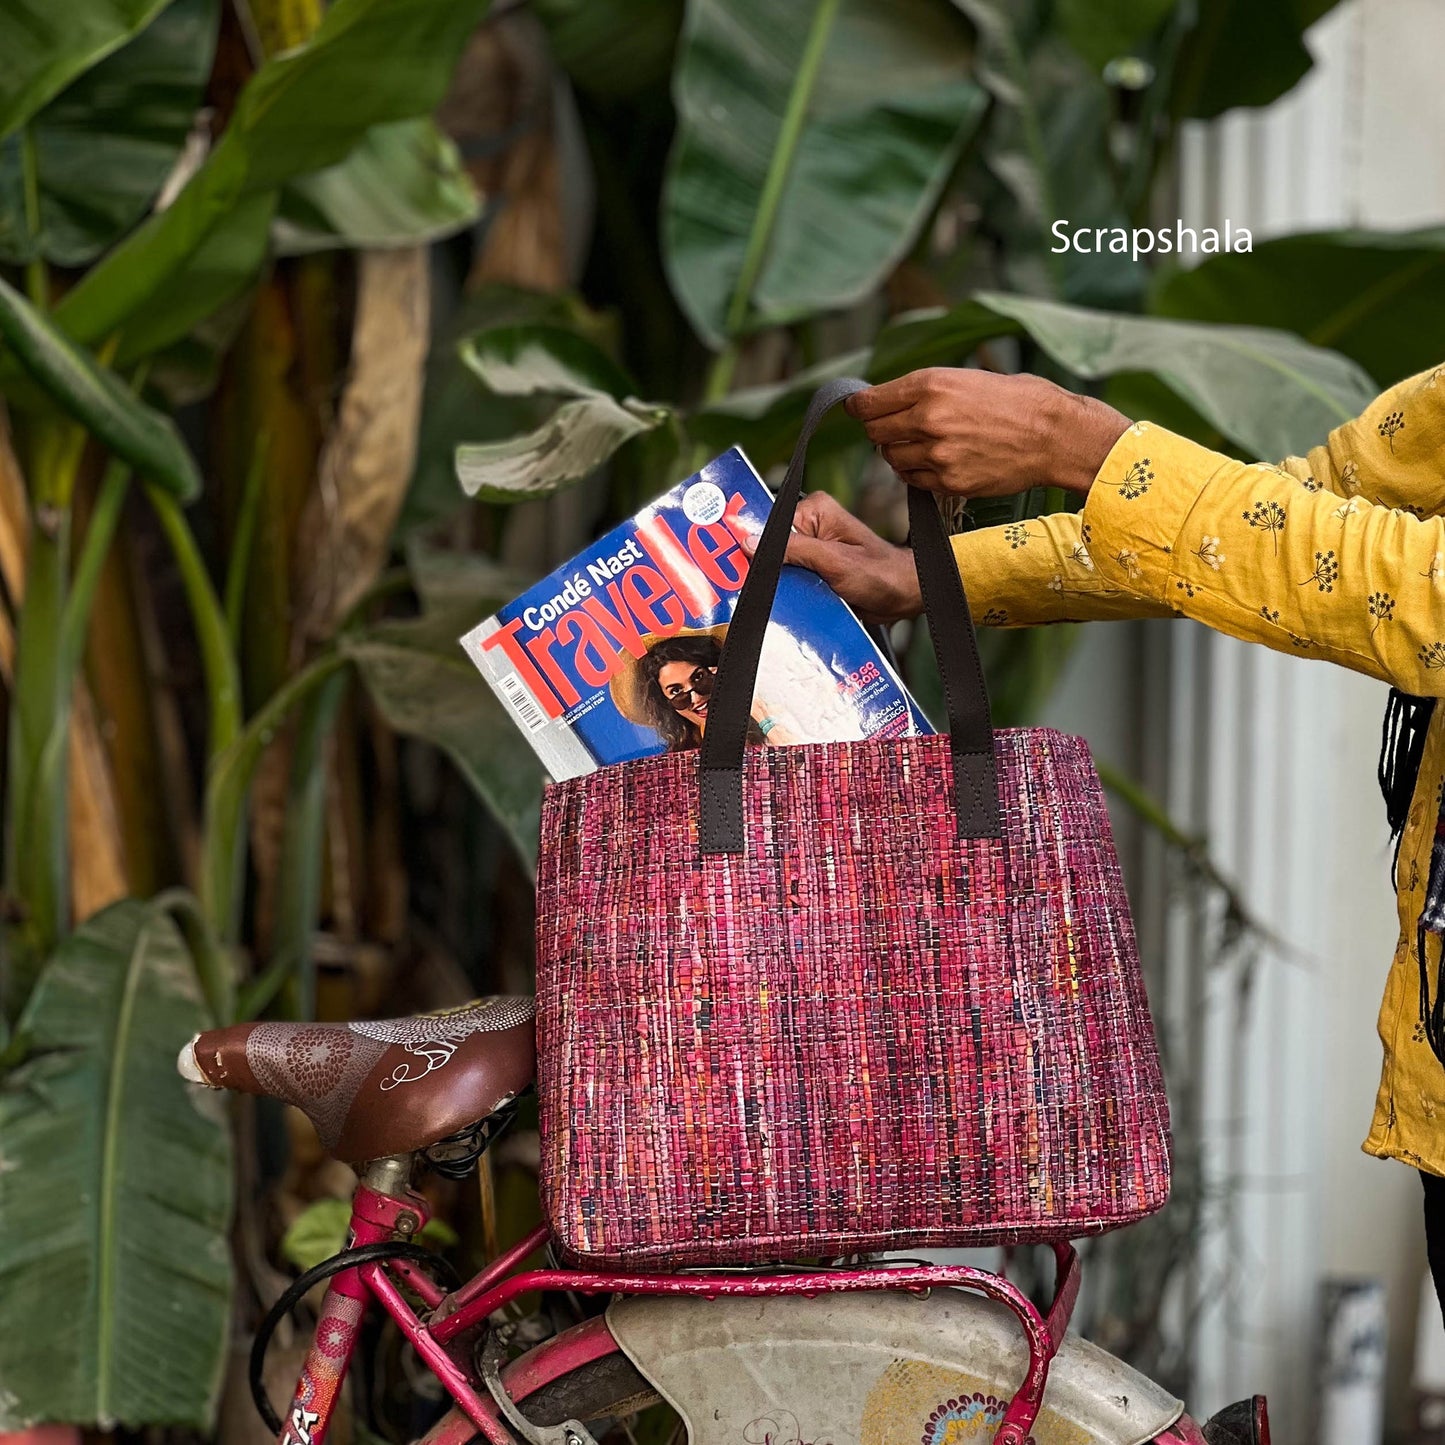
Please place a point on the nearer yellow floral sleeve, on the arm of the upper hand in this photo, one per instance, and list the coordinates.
(1271, 556)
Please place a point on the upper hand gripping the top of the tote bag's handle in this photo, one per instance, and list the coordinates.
(978, 434)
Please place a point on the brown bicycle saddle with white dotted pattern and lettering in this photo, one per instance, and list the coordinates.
(381, 1087)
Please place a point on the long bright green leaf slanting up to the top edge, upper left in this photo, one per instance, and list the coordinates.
(369, 63)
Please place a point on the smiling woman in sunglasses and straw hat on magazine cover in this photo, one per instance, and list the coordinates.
(670, 690)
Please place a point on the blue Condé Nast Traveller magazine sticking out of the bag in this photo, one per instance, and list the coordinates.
(615, 655)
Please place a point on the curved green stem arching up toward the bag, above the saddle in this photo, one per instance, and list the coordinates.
(228, 787)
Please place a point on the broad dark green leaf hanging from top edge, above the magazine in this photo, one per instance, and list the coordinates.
(813, 142)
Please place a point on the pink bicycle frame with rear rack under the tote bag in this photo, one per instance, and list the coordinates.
(385, 1210)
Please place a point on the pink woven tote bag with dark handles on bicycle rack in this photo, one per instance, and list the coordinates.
(829, 999)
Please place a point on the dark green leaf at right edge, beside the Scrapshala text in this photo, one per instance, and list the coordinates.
(1378, 297)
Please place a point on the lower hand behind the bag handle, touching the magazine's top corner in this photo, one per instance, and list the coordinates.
(872, 576)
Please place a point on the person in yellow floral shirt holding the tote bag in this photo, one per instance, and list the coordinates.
(1336, 556)
